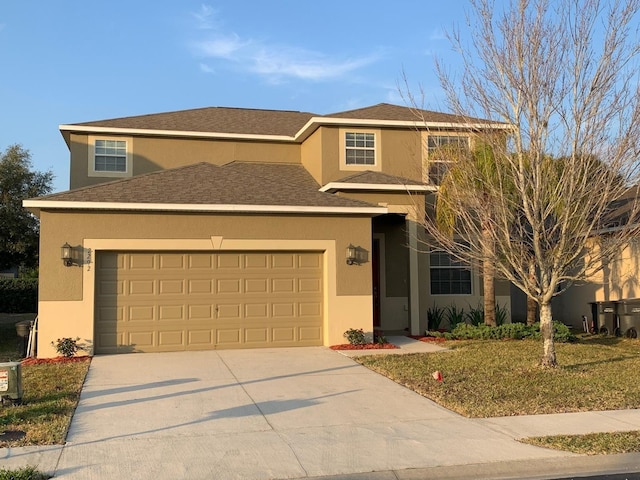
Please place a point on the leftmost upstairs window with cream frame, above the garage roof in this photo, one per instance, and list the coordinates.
(110, 157)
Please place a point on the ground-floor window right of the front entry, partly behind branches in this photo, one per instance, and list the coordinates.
(449, 276)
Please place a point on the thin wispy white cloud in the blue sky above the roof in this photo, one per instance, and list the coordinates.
(274, 62)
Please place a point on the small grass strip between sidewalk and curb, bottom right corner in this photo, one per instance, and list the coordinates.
(590, 444)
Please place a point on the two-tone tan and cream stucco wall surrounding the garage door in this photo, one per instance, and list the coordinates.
(66, 293)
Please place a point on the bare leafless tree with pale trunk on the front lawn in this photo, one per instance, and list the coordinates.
(564, 75)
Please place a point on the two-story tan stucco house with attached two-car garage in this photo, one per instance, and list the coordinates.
(231, 228)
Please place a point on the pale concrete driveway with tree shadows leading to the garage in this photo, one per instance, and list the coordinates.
(259, 414)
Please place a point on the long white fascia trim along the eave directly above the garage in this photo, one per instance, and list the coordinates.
(181, 207)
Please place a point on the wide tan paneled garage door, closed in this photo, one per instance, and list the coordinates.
(171, 301)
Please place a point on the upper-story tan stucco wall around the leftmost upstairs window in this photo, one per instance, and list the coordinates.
(158, 153)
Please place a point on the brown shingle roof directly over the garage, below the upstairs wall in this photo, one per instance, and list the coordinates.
(236, 183)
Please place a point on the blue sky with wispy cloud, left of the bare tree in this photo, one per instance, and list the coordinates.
(75, 61)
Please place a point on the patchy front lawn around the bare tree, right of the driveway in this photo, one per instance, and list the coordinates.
(502, 378)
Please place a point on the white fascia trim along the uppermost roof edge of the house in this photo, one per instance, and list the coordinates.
(300, 135)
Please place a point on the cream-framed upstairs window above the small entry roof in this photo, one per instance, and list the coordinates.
(359, 149)
